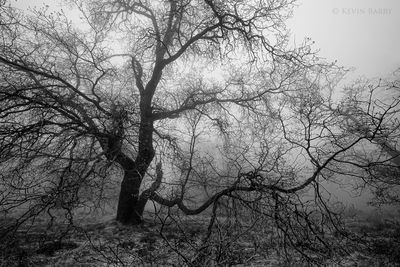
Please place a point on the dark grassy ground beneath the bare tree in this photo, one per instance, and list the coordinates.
(100, 241)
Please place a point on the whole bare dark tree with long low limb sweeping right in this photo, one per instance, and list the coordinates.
(199, 106)
